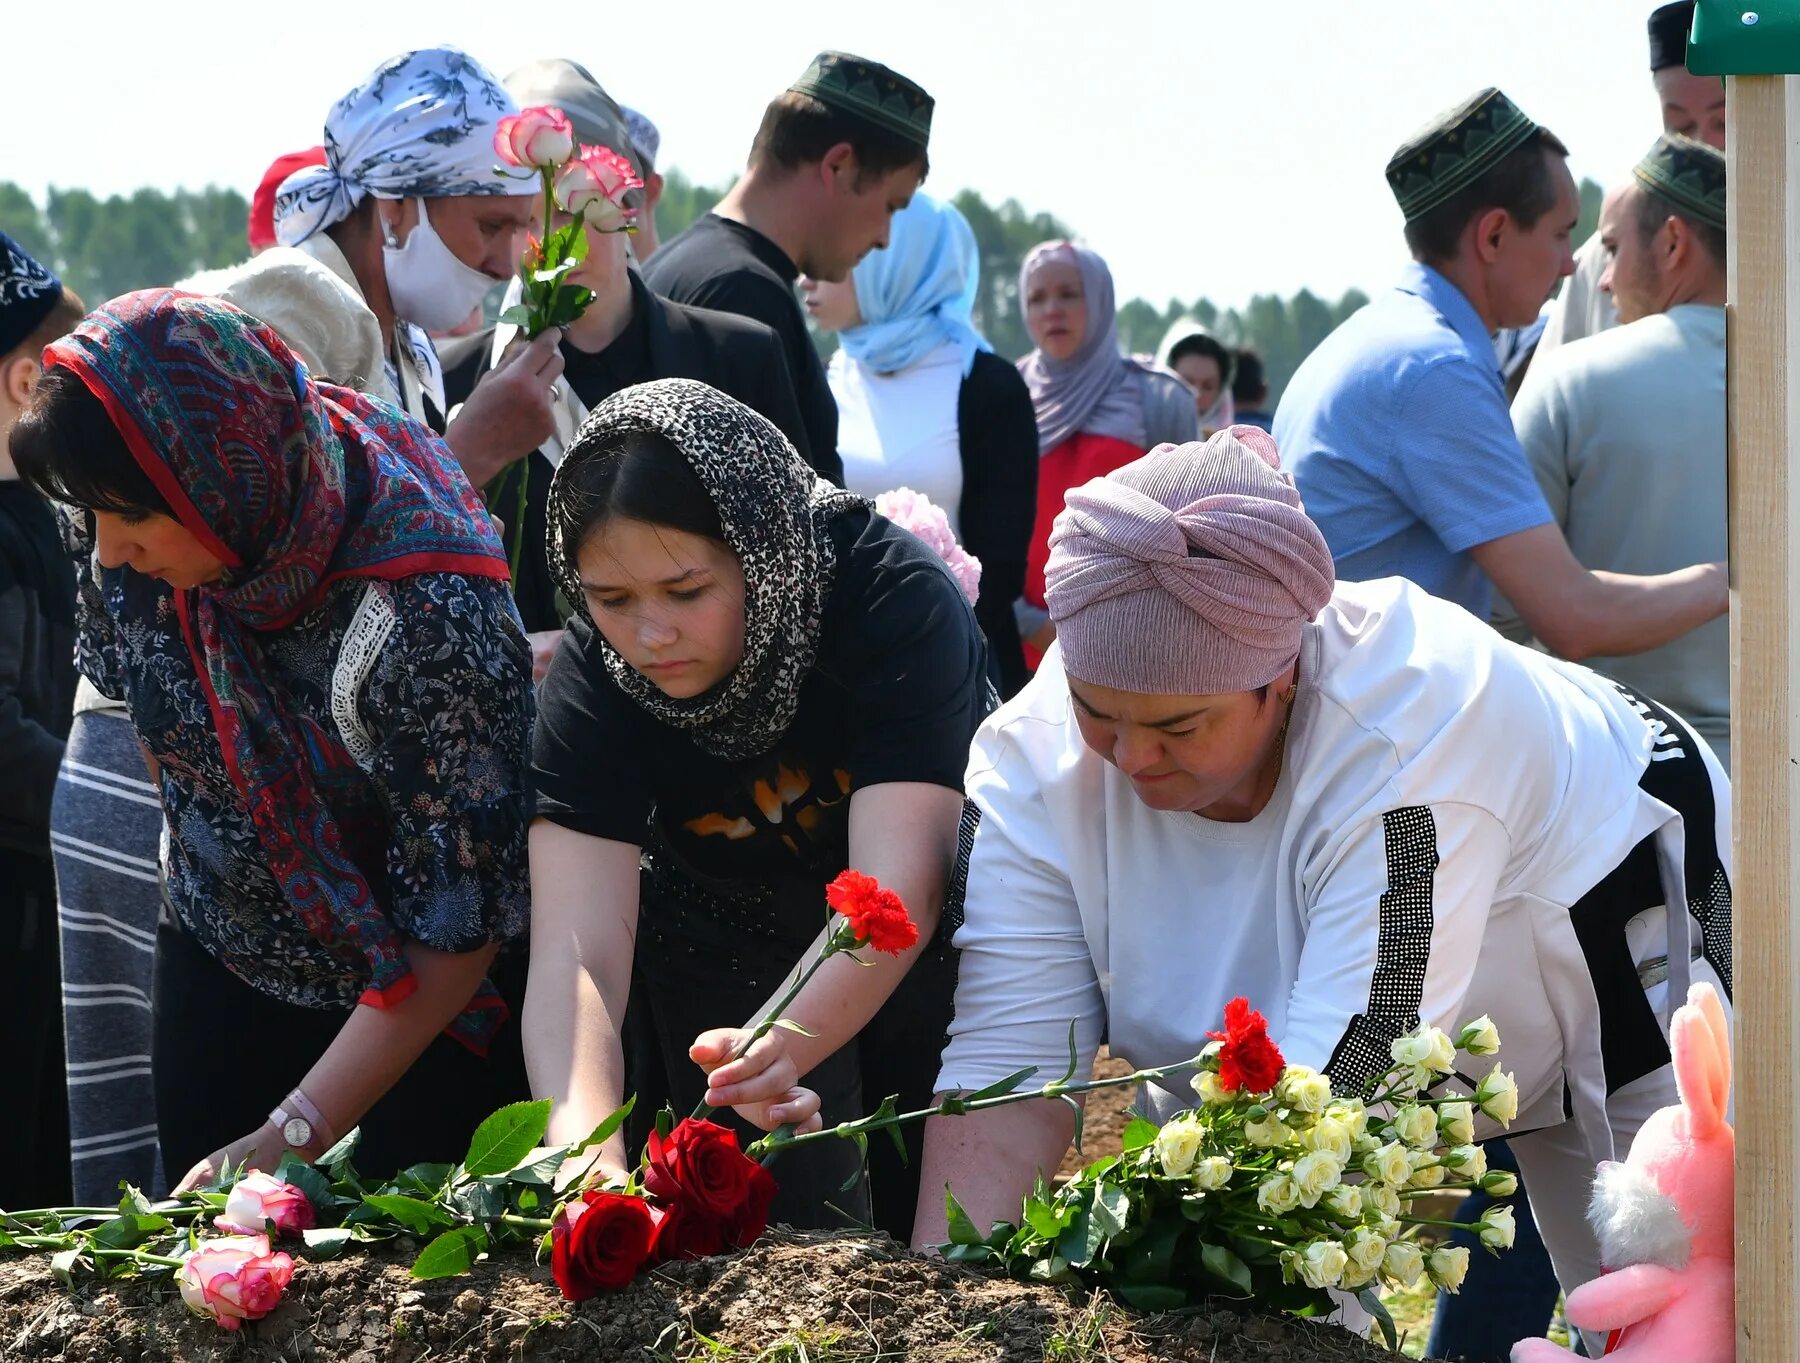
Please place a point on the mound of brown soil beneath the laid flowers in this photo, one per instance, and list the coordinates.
(849, 1297)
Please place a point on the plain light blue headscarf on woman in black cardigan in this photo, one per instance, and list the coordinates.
(921, 293)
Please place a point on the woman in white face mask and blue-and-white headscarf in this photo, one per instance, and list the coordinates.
(413, 219)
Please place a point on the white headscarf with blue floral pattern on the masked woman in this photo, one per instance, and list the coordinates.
(422, 125)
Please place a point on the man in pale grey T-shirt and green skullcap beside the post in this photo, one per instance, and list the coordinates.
(1626, 429)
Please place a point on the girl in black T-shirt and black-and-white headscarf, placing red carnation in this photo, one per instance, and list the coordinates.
(766, 683)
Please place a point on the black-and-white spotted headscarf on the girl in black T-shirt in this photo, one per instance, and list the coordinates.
(775, 512)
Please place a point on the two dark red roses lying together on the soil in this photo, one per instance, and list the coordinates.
(701, 1196)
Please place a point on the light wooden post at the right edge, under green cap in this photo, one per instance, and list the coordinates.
(1765, 519)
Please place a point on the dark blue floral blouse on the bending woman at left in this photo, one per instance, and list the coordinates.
(427, 683)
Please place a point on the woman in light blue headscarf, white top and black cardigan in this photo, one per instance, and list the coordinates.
(924, 404)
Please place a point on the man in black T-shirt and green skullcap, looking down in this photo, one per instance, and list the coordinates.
(840, 152)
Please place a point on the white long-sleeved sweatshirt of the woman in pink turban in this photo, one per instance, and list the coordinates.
(1446, 797)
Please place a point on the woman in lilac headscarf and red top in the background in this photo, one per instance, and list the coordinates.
(1095, 408)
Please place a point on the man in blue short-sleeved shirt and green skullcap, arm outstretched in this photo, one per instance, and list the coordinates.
(1398, 428)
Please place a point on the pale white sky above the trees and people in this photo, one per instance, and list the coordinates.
(1205, 149)
